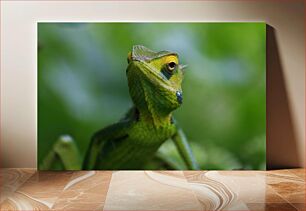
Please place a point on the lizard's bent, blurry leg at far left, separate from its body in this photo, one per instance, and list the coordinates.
(64, 153)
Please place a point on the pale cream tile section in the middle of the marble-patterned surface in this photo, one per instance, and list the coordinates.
(148, 190)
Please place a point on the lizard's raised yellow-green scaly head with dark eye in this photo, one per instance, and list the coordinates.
(154, 79)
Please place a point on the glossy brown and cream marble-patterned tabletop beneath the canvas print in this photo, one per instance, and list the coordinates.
(28, 189)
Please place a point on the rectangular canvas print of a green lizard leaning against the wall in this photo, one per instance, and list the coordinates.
(151, 96)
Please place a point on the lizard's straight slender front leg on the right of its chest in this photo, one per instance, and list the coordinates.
(184, 149)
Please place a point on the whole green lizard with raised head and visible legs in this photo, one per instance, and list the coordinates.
(154, 80)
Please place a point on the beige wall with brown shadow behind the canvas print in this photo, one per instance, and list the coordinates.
(18, 61)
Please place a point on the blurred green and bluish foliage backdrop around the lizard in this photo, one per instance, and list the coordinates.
(82, 85)
